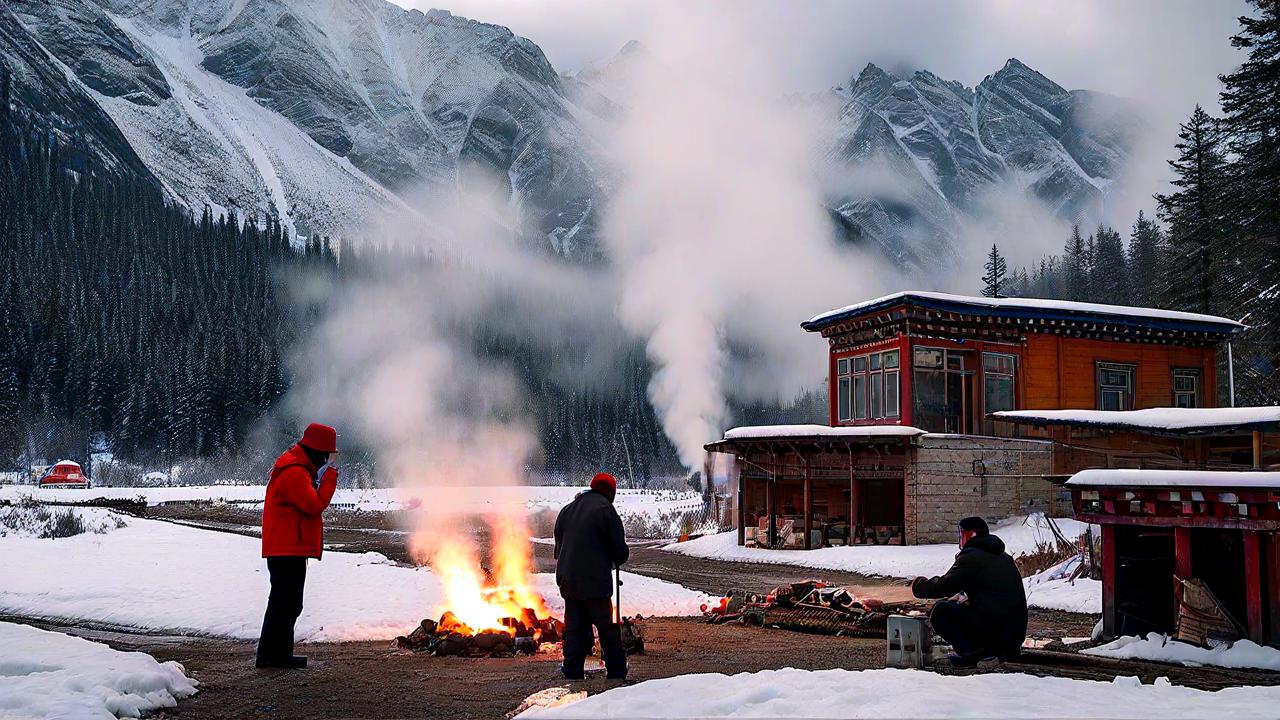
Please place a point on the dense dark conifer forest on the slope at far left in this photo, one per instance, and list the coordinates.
(126, 323)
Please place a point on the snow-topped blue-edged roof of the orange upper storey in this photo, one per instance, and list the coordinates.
(1034, 307)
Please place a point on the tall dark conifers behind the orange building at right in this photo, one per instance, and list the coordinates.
(1214, 245)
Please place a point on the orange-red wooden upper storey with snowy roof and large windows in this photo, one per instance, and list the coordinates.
(945, 363)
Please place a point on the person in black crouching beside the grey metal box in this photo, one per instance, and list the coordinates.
(986, 613)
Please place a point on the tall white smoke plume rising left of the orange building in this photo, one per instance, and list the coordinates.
(716, 231)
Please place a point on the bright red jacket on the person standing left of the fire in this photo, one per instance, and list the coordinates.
(291, 516)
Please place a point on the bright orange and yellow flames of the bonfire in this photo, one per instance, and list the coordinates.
(479, 603)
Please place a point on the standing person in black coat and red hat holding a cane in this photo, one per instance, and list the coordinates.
(589, 545)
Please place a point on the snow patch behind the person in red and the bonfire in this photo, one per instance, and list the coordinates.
(161, 576)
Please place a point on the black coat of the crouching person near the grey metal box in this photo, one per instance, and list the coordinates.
(989, 577)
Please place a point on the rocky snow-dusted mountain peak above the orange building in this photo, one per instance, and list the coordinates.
(913, 154)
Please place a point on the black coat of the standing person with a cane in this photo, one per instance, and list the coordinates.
(589, 543)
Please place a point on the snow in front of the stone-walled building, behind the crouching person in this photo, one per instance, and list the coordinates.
(1049, 590)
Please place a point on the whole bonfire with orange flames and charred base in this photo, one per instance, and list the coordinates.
(493, 614)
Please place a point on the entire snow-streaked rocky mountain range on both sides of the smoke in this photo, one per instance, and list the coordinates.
(332, 115)
